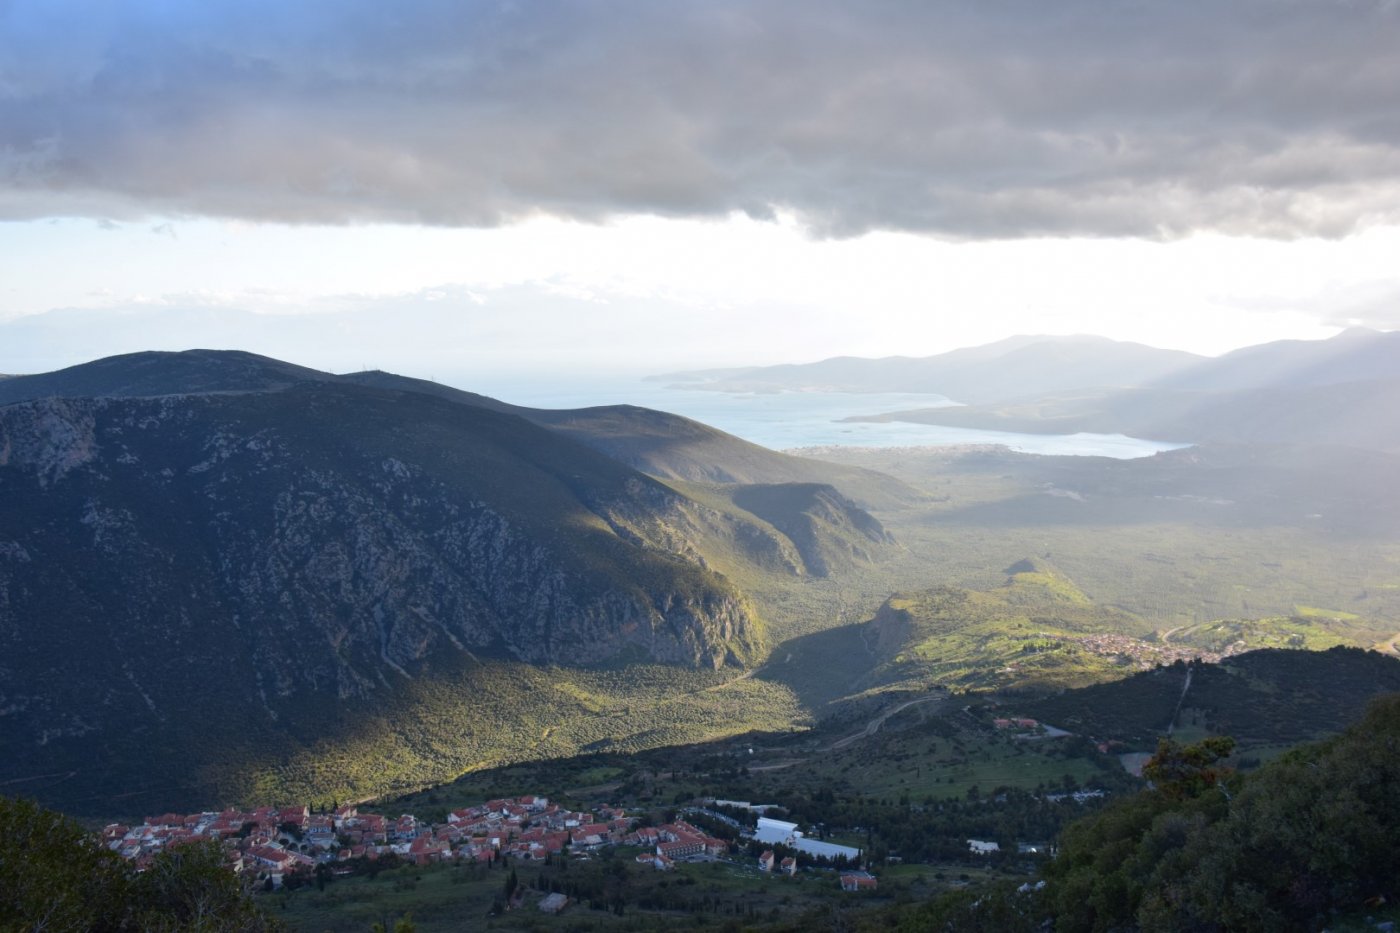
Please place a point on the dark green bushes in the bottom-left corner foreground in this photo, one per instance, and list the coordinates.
(57, 878)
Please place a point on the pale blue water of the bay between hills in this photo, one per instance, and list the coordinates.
(806, 420)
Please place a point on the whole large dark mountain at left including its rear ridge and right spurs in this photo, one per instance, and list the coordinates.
(208, 539)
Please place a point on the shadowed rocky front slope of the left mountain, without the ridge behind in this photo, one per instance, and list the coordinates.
(321, 540)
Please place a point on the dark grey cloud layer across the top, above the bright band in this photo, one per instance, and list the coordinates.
(972, 120)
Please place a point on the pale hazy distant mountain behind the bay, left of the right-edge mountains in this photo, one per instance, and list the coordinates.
(1009, 369)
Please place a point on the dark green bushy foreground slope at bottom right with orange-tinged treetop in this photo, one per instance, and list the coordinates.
(1304, 841)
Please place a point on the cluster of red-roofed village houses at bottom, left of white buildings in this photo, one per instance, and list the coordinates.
(275, 843)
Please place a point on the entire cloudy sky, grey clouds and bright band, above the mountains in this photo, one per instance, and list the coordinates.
(454, 190)
